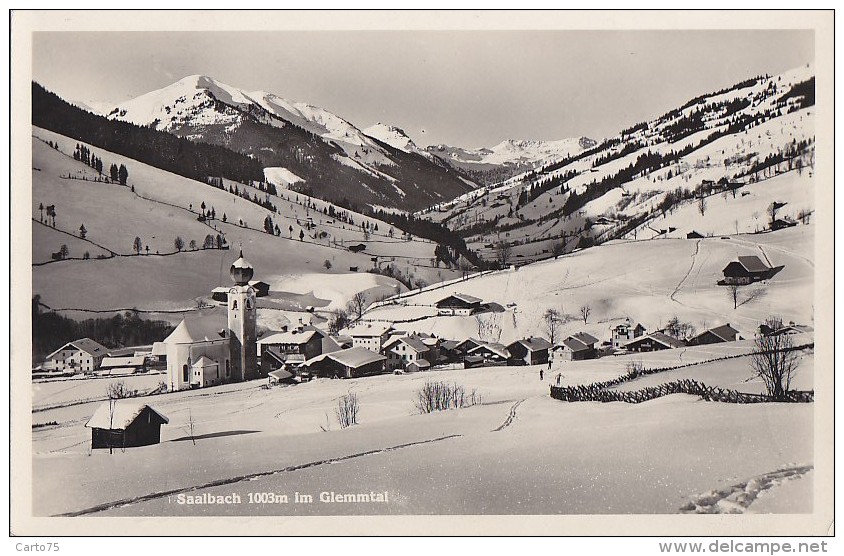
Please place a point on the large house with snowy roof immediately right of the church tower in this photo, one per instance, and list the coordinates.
(293, 347)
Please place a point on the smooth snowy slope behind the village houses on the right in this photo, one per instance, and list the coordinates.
(645, 281)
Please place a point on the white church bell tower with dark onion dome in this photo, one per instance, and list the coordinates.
(242, 317)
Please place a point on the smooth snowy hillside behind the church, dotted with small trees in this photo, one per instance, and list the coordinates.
(157, 206)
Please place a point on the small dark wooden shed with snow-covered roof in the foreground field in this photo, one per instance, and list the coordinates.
(125, 424)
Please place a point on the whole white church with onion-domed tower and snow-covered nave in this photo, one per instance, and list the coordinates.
(207, 350)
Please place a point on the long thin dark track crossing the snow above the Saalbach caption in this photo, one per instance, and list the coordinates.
(249, 477)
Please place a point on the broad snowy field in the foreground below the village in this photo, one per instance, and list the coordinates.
(518, 452)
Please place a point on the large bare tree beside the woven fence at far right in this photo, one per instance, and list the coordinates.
(774, 360)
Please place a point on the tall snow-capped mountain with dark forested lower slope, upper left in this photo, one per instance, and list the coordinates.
(346, 163)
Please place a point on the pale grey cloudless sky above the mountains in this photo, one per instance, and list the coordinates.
(461, 88)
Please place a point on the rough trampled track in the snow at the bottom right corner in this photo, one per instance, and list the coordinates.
(738, 498)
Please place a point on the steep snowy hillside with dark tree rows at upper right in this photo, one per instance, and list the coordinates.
(740, 149)
